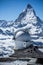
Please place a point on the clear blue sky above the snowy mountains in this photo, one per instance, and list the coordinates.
(10, 9)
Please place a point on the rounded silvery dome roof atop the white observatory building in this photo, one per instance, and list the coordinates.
(22, 36)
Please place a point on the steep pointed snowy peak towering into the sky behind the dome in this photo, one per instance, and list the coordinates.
(28, 15)
